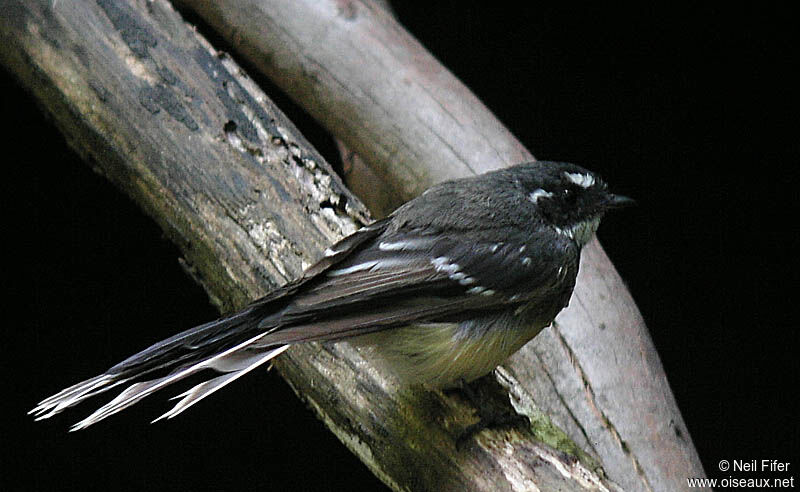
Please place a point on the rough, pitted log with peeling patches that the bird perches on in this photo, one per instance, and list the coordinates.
(179, 128)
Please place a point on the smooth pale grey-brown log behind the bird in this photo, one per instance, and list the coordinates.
(596, 372)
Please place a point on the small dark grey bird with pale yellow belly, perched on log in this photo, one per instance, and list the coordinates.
(444, 290)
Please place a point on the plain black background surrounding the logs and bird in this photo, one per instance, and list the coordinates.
(693, 113)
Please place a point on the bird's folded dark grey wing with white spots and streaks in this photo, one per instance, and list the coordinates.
(410, 276)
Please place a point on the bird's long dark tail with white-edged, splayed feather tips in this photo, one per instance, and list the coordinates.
(229, 346)
